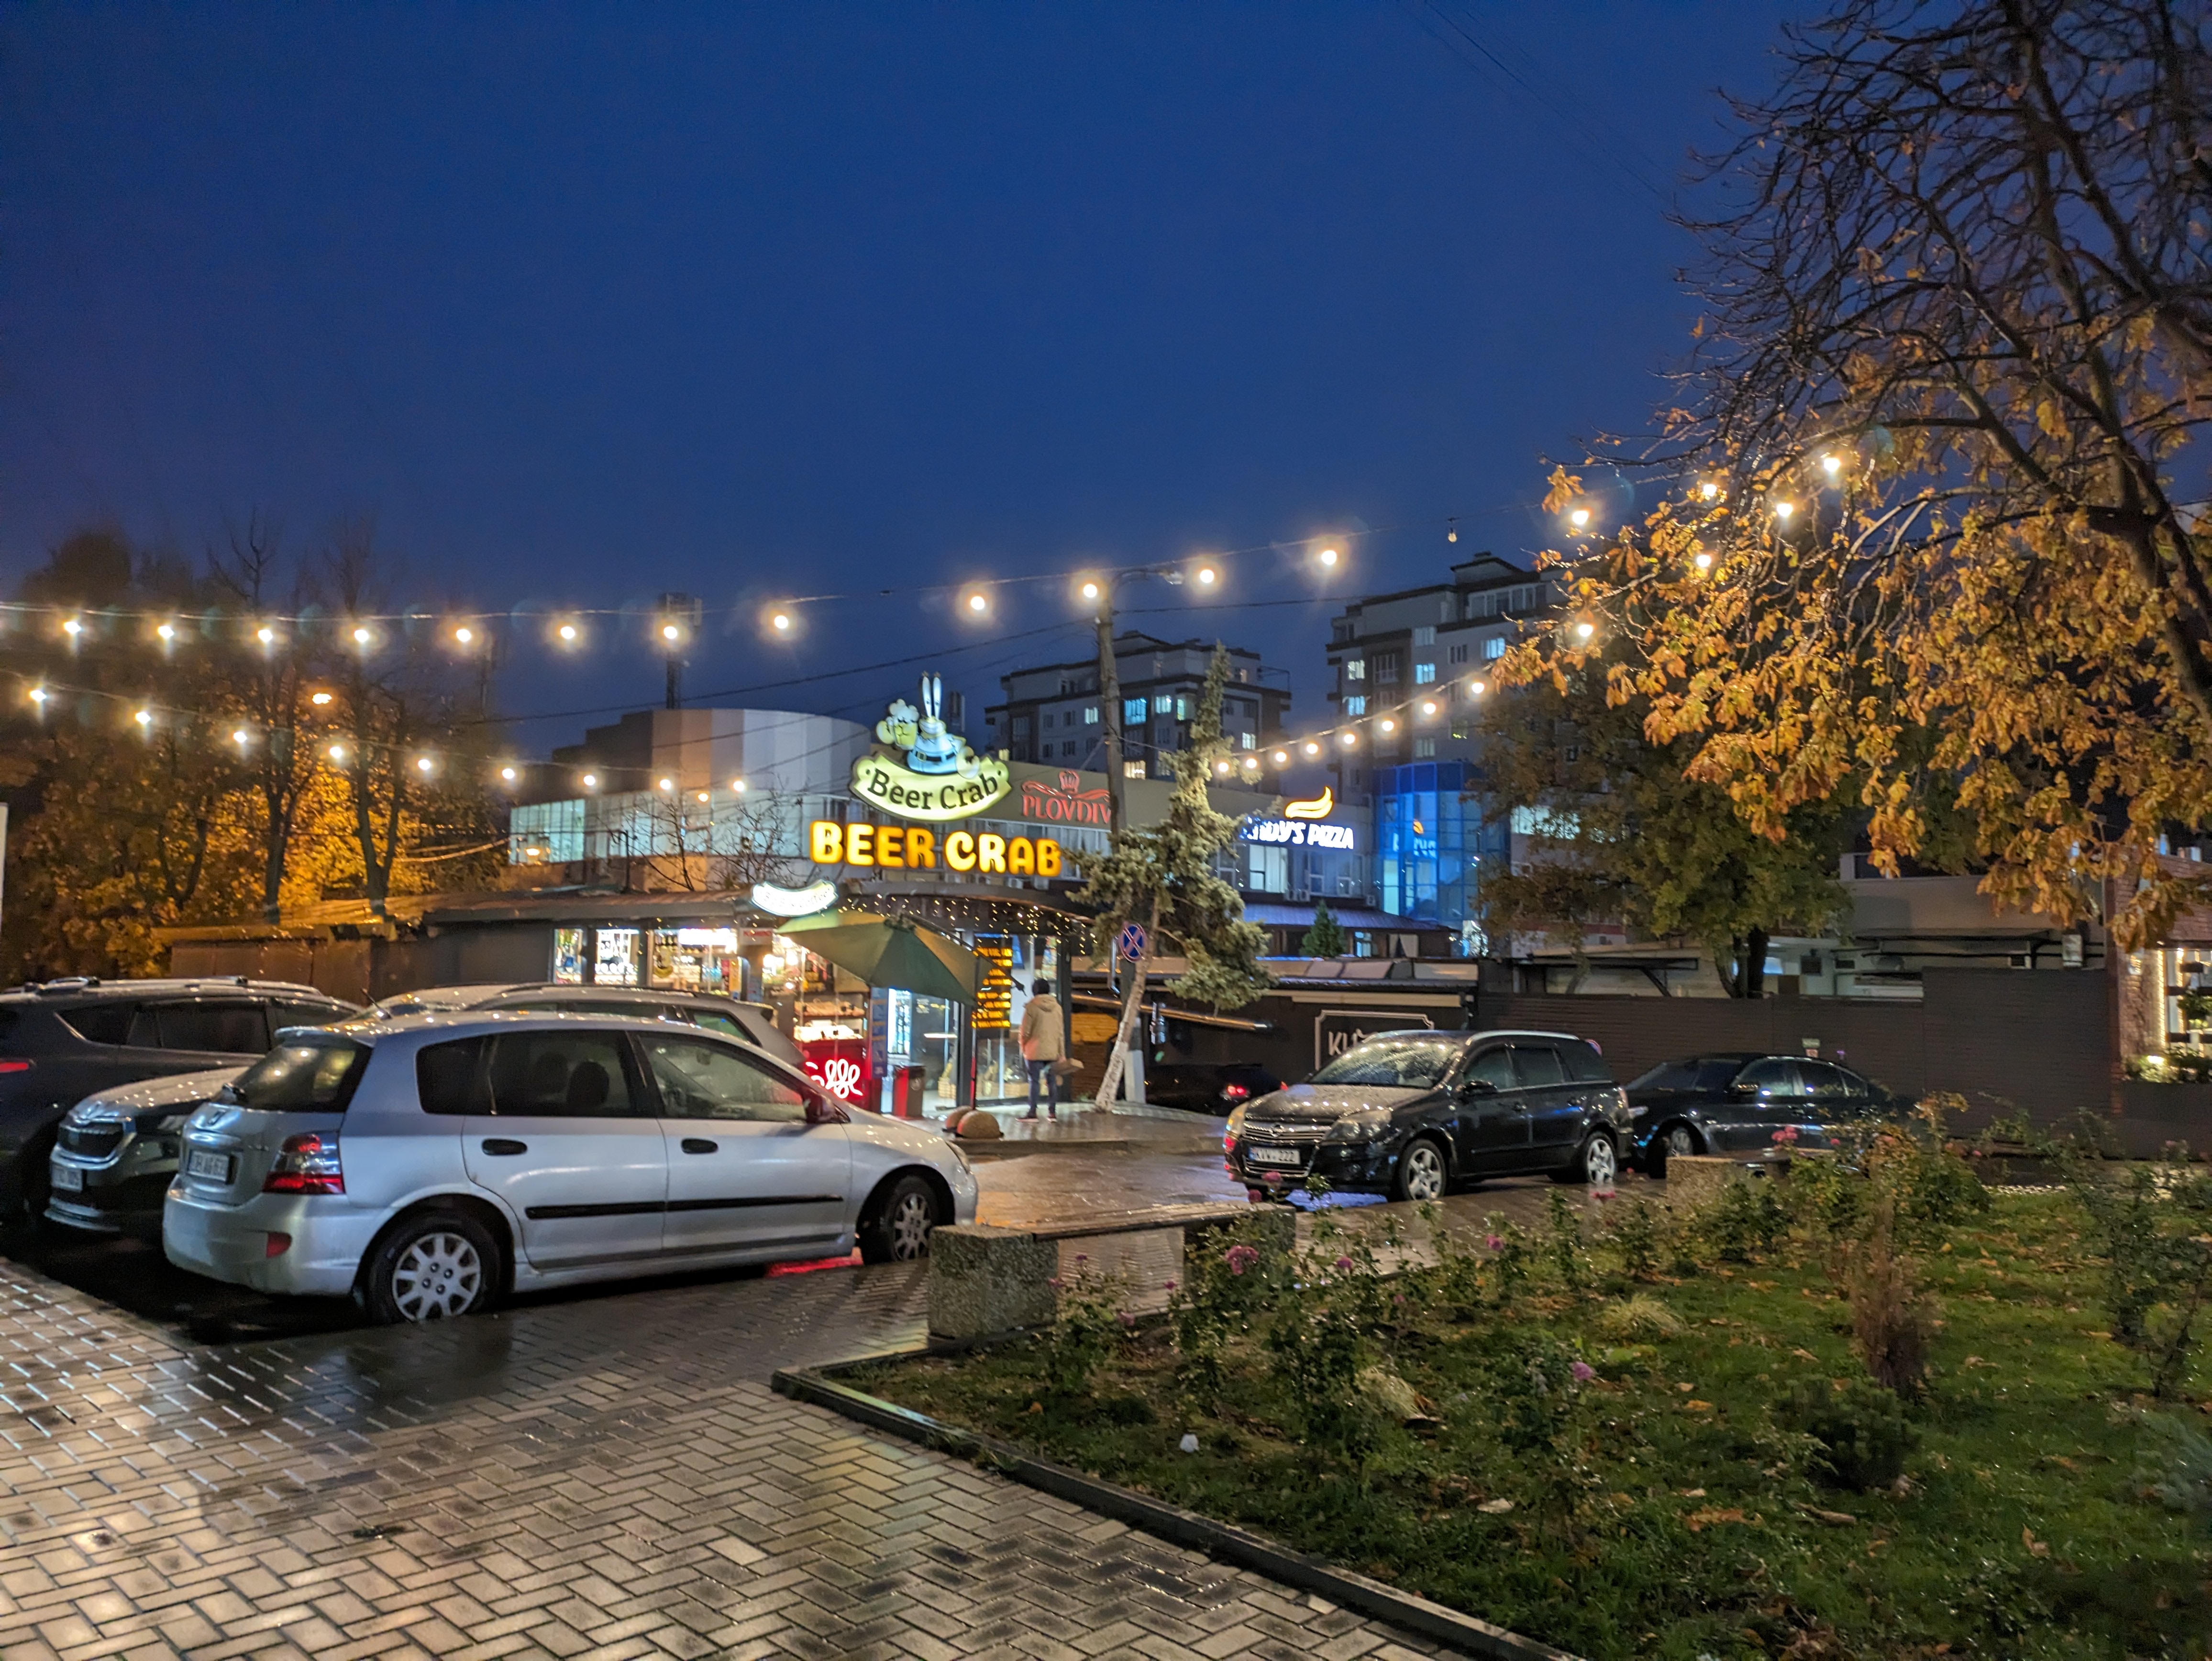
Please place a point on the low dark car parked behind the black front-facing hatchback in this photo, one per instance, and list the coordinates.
(1733, 1105)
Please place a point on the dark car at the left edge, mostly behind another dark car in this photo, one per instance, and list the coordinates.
(70, 1038)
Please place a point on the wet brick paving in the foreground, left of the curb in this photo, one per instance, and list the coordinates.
(605, 1476)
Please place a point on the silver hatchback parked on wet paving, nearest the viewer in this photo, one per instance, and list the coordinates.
(430, 1164)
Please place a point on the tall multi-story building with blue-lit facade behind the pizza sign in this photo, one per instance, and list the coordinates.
(1408, 671)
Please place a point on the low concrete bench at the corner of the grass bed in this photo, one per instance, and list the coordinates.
(988, 1282)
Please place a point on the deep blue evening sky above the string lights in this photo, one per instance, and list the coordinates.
(587, 304)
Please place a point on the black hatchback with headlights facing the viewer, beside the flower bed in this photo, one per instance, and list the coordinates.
(1412, 1114)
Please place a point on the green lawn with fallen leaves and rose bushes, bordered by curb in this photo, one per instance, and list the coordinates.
(1671, 1503)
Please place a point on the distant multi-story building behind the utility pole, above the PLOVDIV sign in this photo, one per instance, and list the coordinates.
(1052, 713)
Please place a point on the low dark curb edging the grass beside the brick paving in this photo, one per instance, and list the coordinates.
(1178, 1527)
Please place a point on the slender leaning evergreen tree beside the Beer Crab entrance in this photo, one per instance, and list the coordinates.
(1165, 879)
